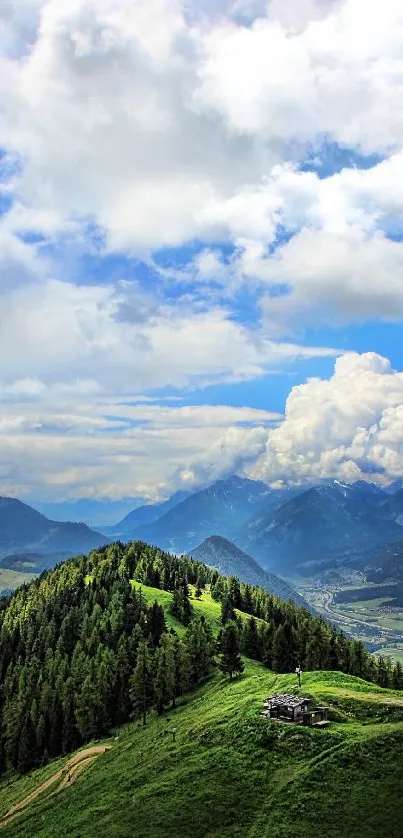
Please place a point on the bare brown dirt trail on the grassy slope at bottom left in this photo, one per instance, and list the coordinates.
(74, 766)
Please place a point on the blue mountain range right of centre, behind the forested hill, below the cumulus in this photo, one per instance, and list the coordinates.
(294, 531)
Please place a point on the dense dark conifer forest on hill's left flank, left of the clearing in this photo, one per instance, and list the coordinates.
(81, 651)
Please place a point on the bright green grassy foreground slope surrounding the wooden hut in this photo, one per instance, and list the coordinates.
(232, 773)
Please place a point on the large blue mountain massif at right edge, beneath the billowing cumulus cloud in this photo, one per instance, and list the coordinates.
(320, 523)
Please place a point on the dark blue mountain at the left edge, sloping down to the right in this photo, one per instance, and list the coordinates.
(24, 530)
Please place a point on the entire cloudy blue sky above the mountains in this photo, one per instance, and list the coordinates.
(201, 244)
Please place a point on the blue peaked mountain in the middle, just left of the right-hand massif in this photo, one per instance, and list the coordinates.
(221, 508)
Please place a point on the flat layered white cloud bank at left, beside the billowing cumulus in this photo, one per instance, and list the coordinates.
(106, 449)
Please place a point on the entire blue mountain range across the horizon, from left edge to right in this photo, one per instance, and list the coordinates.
(293, 532)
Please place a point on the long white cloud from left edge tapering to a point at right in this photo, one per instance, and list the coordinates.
(55, 330)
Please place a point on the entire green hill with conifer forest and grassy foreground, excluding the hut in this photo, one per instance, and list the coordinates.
(210, 765)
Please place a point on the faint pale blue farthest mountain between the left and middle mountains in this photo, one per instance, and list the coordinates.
(96, 513)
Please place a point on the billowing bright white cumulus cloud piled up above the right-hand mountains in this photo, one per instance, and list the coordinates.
(344, 427)
